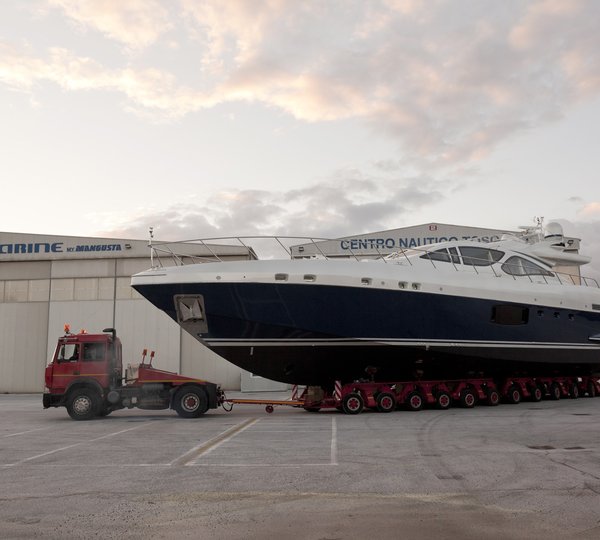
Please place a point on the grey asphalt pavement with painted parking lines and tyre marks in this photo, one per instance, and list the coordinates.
(522, 471)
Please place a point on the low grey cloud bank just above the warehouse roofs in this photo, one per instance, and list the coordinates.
(350, 201)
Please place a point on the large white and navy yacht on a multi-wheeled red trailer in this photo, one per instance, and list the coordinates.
(451, 309)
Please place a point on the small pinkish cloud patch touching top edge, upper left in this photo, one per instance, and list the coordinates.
(135, 23)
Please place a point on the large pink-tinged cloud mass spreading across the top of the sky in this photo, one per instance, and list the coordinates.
(447, 81)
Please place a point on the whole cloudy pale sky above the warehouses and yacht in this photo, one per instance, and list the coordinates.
(324, 118)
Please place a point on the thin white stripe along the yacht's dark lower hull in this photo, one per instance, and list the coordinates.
(343, 342)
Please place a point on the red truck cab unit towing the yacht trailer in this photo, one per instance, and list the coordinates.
(86, 377)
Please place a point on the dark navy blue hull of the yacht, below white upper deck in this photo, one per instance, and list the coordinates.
(314, 334)
